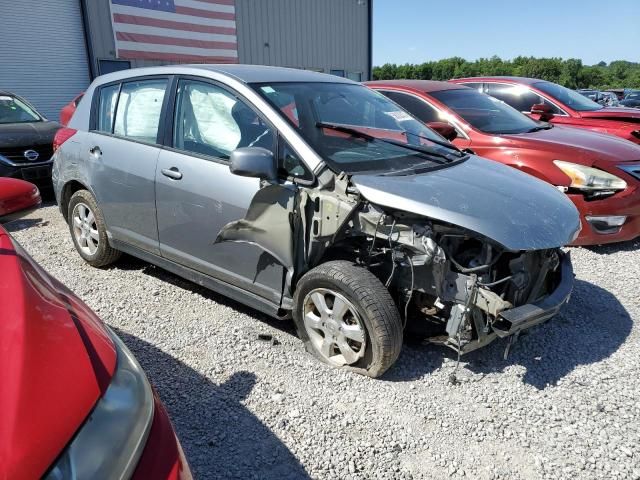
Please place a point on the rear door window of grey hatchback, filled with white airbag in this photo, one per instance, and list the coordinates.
(138, 110)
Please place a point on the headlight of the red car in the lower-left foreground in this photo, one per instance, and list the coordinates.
(110, 442)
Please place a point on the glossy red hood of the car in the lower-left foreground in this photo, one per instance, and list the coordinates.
(56, 359)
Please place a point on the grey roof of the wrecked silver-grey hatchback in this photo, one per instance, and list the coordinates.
(243, 73)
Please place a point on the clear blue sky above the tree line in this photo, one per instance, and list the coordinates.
(415, 31)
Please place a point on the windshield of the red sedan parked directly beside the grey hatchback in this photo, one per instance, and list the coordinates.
(485, 113)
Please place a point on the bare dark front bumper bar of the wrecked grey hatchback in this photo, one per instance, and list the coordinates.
(514, 320)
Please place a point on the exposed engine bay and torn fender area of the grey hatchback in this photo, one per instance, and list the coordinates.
(455, 284)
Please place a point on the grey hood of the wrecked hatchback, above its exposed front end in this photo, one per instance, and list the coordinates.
(512, 208)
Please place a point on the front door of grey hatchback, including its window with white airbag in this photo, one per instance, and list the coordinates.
(197, 195)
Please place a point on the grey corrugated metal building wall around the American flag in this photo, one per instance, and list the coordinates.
(314, 34)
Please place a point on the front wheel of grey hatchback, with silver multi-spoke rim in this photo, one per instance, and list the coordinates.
(347, 318)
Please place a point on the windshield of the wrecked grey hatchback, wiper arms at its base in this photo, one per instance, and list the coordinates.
(355, 129)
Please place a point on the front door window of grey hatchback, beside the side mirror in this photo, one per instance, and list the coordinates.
(211, 121)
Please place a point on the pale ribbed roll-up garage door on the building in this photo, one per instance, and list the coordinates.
(43, 56)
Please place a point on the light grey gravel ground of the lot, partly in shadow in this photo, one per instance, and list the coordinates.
(564, 405)
